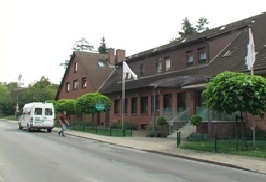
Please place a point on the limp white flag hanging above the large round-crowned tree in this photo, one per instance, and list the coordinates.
(251, 51)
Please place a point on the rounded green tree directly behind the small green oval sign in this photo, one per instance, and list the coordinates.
(86, 103)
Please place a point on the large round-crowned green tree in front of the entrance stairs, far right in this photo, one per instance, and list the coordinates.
(232, 92)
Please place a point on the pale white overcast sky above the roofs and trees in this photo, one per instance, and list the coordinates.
(37, 35)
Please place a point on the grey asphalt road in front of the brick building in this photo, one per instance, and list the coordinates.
(47, 157)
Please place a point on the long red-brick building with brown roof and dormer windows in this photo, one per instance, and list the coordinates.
(171, 76)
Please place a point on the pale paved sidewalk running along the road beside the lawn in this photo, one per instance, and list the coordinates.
(167, 146)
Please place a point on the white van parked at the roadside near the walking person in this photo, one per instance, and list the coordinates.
(36, 116)
